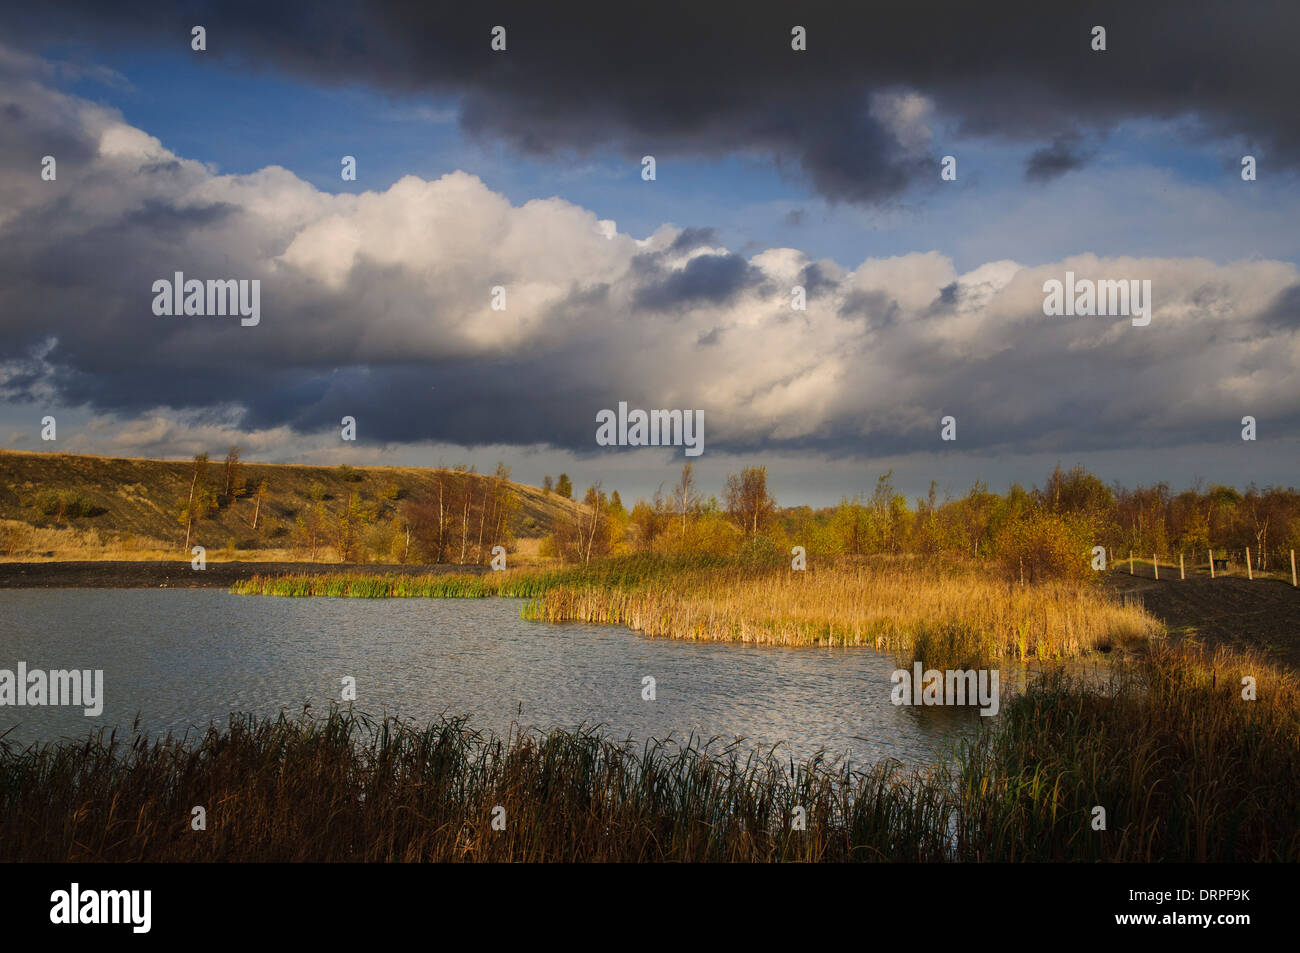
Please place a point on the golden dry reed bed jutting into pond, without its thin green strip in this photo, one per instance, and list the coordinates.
(957, 617)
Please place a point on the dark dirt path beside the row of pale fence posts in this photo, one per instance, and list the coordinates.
(1230, 610)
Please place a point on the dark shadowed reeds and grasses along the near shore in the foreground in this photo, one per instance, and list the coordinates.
(1185, 769)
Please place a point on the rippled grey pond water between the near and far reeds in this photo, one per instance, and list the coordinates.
(183, 659)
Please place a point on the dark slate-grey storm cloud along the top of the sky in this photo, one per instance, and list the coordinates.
(688, 79)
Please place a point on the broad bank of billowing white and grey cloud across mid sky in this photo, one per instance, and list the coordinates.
(382, 313)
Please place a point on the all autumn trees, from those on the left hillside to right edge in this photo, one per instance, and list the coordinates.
(1029, 534)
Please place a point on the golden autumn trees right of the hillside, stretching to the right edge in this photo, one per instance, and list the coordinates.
(1028, 534)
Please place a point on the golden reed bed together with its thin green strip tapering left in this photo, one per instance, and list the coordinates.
(948, 617)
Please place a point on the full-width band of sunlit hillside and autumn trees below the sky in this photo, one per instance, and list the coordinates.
(454, 516)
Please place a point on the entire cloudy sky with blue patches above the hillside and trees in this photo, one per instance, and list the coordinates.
(775, 168)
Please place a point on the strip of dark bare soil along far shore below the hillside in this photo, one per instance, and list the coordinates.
(179, 575)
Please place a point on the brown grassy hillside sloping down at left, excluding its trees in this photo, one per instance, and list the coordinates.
(79, 506)
